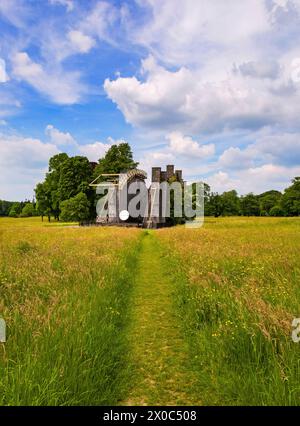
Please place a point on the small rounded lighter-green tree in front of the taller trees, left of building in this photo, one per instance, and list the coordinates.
(75, 209)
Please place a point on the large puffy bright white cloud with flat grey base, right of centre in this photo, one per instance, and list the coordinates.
(182, 100)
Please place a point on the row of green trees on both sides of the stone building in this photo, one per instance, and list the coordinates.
(65, 193)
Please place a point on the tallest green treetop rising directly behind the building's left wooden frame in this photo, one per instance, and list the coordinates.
(117, 159)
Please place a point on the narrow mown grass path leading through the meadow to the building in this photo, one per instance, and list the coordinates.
(159, 355)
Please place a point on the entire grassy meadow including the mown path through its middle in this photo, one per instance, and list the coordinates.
(125, 316)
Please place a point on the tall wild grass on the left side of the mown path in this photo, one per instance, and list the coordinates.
(64, 294)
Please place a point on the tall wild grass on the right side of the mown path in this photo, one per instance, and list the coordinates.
(237, 282)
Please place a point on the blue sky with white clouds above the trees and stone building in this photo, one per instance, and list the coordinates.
(211, 86)
